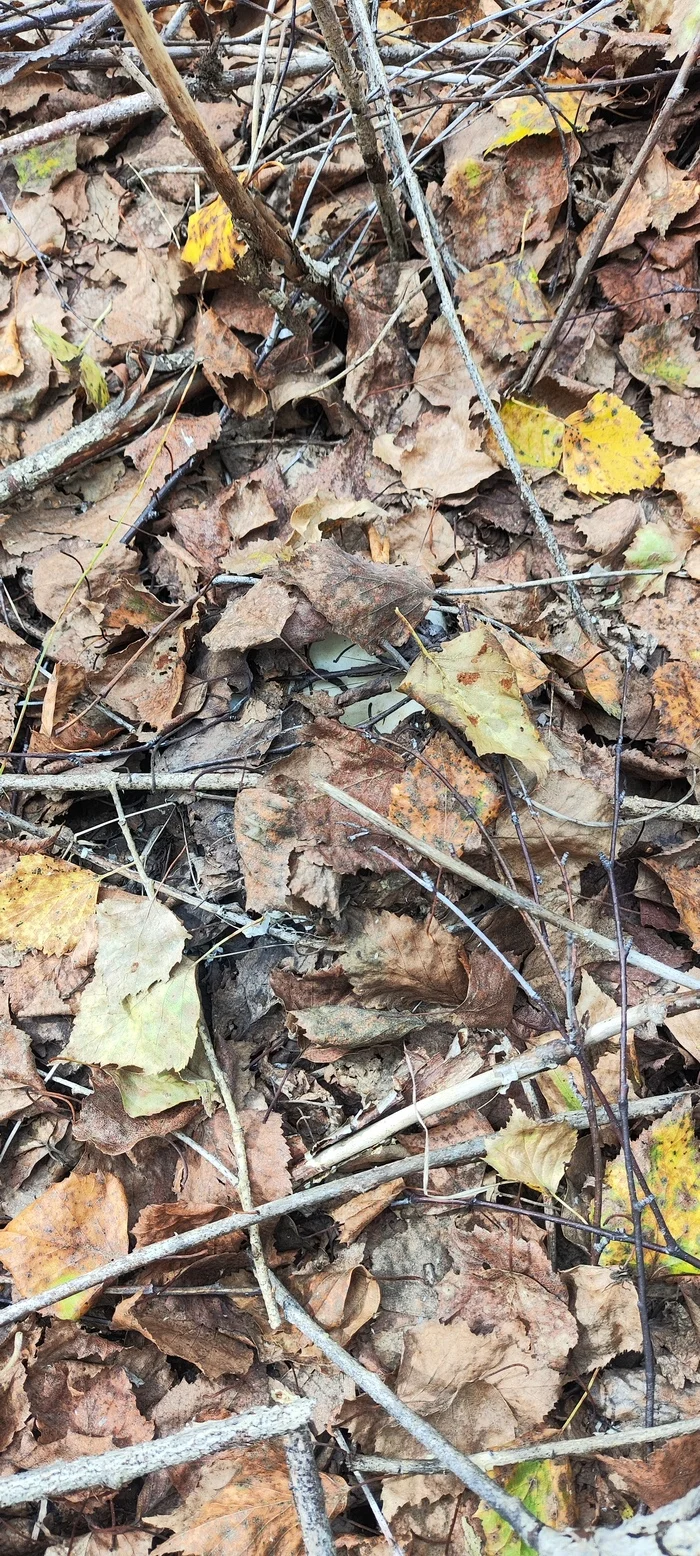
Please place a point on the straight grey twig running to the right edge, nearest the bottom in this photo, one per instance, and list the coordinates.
(553, 1448)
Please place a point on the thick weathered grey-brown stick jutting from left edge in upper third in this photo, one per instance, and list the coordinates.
(100, 433)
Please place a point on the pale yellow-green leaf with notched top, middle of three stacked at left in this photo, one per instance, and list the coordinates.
(155, 1031)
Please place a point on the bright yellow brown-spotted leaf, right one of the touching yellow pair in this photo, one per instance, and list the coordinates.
(606, 450)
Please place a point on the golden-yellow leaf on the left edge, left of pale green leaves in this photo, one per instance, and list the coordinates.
(46, 905)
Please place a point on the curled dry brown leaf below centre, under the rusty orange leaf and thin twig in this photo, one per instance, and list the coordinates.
(394, 961)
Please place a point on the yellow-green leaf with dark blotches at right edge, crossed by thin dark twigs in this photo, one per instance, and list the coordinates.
(670, 1160)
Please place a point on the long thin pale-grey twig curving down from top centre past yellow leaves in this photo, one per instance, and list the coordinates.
(401, 159)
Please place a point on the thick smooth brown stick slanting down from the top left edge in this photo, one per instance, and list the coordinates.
(270, 247)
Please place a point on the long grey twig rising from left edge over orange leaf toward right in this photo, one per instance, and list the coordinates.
(323, 1194)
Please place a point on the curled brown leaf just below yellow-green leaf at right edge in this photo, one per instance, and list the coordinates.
(607, 1312)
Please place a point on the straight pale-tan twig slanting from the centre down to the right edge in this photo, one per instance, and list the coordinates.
(503, 892)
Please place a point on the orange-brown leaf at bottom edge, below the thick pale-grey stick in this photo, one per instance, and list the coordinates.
(245, 1509)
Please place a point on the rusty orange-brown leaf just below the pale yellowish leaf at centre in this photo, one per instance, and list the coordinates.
(429, 802)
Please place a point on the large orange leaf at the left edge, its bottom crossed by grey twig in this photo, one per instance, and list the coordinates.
(69, 1230)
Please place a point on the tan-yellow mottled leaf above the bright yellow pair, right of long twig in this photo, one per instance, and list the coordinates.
(503, 307)
